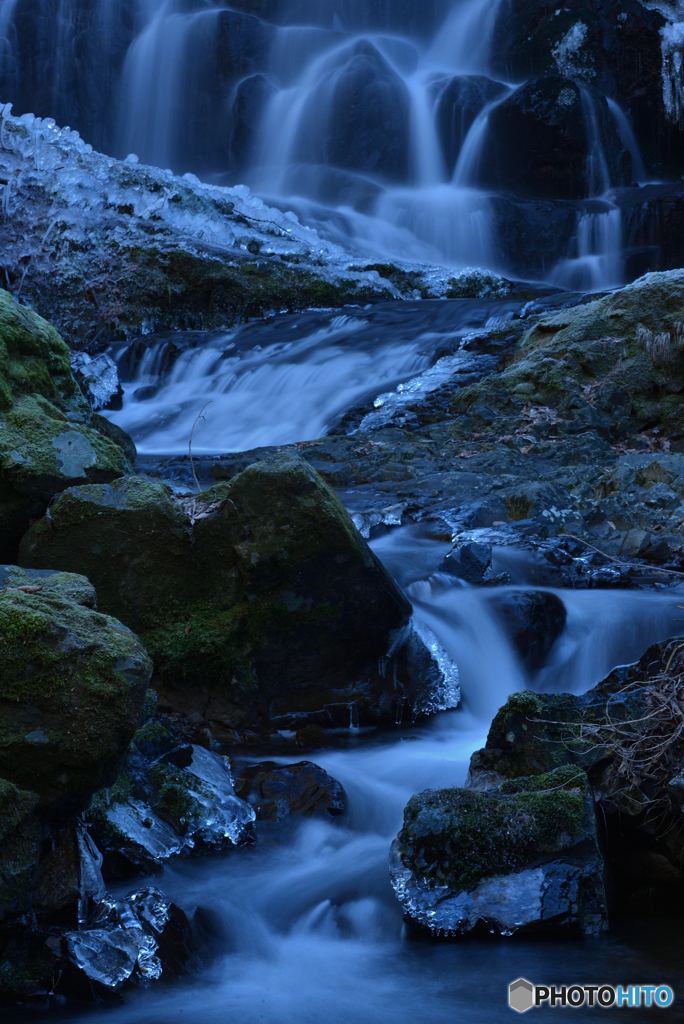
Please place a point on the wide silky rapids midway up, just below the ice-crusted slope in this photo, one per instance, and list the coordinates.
(285, 380)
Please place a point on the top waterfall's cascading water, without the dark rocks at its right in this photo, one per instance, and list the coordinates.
(372, 122)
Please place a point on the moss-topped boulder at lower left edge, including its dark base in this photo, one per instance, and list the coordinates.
(72, 689)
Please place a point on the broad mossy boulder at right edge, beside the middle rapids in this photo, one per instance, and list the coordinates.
(615, 366)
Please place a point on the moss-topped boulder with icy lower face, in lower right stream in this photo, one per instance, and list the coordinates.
(526, 859)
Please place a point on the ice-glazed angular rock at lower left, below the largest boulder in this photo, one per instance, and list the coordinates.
(161, 808)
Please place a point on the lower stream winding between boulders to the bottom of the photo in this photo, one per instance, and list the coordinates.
(309, 928)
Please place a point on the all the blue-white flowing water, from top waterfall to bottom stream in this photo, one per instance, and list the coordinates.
(371, 121)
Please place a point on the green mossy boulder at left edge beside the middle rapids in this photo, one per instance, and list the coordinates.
(49, 440)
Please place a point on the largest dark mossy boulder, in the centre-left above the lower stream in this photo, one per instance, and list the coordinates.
(259, 602)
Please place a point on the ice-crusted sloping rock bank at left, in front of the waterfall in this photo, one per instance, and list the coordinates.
(183, 240)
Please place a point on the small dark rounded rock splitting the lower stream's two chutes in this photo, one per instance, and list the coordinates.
(534, 621)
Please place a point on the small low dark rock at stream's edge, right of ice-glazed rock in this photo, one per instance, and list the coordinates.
(281, 791)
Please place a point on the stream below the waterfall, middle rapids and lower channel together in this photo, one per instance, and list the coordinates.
(309, 929)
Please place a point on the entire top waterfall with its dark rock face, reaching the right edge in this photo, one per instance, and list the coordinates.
(393, 135)
